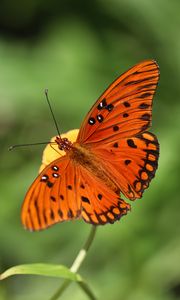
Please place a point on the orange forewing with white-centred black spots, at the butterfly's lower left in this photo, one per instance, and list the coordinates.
(52, 196)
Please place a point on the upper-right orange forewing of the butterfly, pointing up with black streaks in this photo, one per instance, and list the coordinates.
(125, 108)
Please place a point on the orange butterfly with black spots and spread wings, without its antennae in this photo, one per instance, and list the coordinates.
(113, 154)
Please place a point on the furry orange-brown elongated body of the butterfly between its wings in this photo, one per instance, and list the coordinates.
(82, 155)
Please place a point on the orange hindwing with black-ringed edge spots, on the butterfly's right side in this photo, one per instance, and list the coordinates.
(131, 162)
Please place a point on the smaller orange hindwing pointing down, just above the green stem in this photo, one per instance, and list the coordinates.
(100, 205)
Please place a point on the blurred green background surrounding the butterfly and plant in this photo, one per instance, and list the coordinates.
(76, 49)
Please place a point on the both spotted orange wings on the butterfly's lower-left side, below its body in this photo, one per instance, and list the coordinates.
(76, 193)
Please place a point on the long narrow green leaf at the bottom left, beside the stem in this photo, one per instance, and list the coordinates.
(59, 271)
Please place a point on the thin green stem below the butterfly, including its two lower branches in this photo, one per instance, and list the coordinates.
(75, 267)
